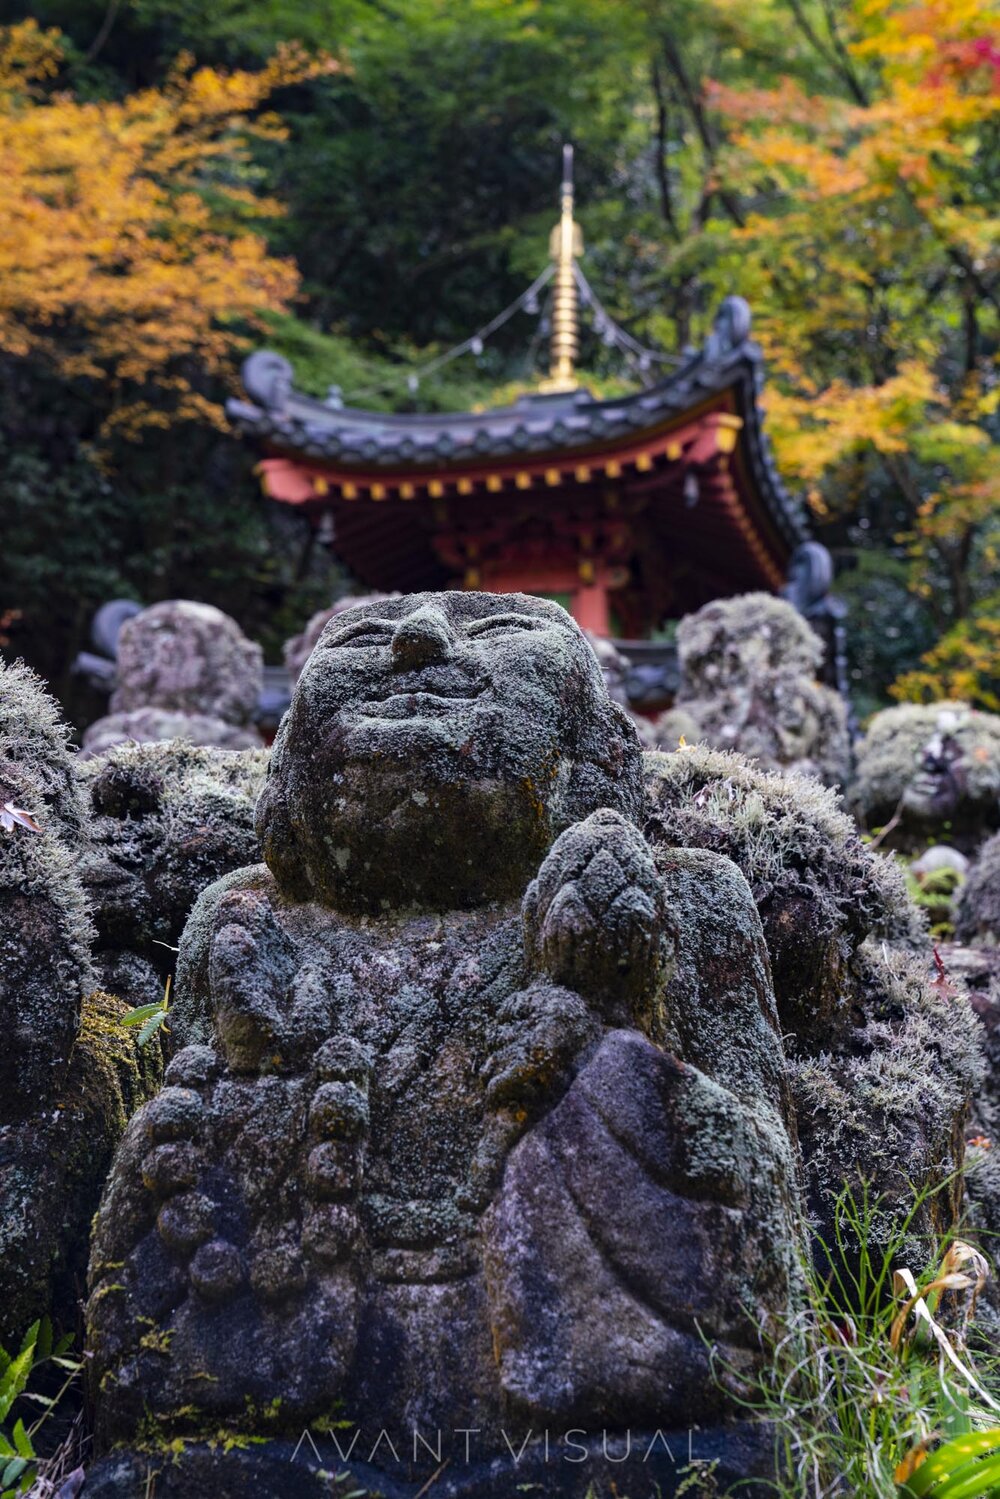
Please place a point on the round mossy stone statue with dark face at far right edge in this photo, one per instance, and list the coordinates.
(930, 774)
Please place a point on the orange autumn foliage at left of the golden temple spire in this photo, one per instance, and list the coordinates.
(128, 244)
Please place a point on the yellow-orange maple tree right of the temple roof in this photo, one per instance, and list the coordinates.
(870, 251)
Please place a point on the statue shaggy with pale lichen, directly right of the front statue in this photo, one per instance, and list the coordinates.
(881, 1061)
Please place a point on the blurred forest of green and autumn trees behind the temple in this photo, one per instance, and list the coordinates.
(362, 185)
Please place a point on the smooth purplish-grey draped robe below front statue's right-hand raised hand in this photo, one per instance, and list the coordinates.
(632, 1225)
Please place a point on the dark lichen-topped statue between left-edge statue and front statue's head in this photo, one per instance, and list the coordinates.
(166, 822)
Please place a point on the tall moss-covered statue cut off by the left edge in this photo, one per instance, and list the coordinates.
(70, 1074)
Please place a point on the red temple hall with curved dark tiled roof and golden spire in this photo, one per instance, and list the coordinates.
(630, 512)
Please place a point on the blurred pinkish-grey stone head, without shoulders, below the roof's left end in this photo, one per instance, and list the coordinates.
(191, 659)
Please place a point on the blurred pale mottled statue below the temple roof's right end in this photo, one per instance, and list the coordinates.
(749, 669)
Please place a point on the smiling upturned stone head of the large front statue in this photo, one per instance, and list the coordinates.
(436, 749)
